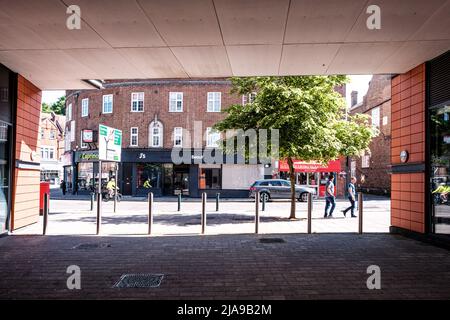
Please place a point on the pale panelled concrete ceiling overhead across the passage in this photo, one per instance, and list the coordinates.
(216, 38)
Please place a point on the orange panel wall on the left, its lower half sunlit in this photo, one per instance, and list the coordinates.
(25, 201)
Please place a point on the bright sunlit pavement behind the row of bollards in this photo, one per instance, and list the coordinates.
(71, 217)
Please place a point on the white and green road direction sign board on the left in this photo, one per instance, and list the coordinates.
(109, 144)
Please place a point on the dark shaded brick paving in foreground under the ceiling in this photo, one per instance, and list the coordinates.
(318, 266)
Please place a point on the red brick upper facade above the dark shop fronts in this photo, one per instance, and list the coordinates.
(156, 104)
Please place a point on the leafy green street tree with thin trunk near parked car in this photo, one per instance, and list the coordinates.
(309, 114)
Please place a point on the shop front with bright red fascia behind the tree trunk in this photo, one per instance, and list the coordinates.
(315, 175)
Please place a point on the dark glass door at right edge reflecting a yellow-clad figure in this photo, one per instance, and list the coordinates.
(440, 168)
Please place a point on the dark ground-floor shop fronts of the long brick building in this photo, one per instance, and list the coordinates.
(143, 170)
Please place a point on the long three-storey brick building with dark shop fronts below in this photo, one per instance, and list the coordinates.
(155, 116)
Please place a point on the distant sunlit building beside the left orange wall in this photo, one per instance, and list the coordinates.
(51, 138)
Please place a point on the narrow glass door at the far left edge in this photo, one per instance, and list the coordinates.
(4, 175)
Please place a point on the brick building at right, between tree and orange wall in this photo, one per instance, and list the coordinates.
(373, 169)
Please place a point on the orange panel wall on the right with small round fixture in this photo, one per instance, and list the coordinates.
(408, 133)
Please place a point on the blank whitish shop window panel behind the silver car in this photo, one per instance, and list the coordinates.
(236, 176)
